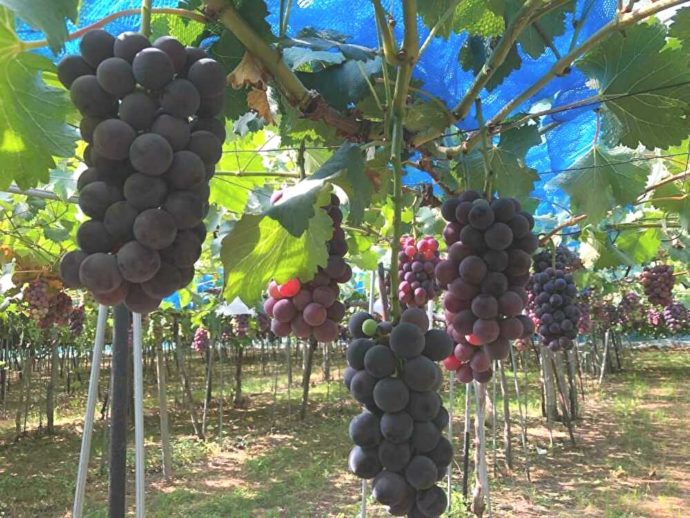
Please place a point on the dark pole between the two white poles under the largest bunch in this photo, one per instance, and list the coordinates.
(118, 429)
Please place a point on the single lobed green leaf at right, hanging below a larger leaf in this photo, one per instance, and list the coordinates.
(602, 180)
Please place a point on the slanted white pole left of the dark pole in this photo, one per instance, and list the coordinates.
(90, 411)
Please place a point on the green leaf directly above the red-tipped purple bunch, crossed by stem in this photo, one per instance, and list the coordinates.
(511, 176)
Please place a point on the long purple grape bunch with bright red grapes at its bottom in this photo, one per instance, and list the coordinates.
(489, 259)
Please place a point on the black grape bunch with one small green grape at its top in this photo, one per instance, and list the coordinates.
(398, 438)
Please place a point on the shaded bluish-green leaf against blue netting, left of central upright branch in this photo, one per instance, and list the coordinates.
(344, 84)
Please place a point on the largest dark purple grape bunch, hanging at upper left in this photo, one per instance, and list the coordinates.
(149, 117)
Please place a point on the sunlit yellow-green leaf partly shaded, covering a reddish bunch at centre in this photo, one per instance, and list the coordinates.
(259, 249)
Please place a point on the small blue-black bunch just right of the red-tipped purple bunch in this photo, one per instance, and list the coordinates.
(556, 307)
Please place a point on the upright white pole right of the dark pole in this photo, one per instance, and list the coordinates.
(139, 418)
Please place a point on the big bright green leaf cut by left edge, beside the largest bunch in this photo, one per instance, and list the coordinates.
(32, 116)
